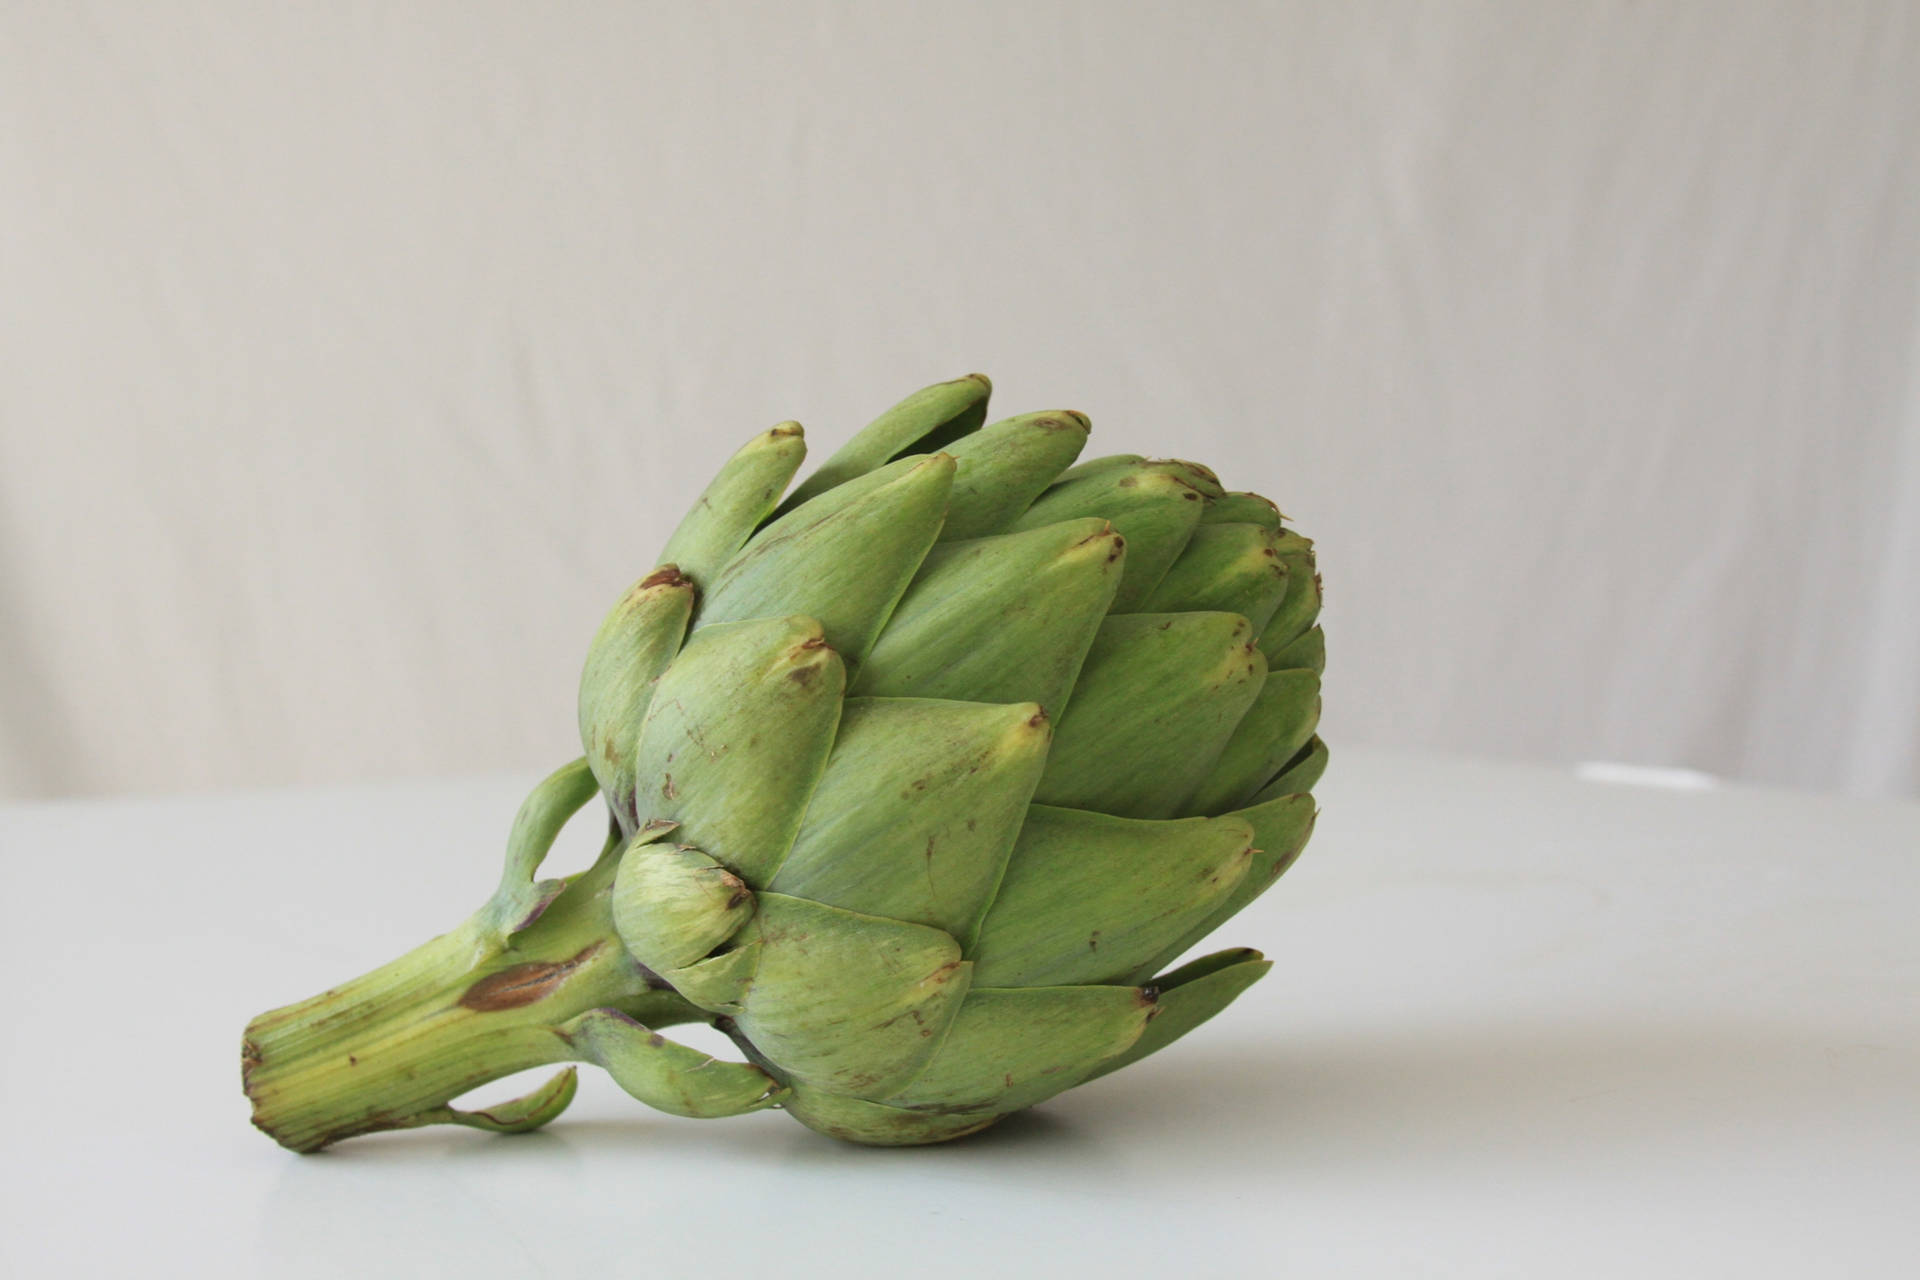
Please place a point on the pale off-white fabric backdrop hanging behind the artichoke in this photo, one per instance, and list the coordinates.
(356, 358)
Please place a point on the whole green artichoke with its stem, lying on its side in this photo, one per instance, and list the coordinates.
(917, 782)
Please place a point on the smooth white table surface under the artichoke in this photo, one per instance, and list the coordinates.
(1520, 1026)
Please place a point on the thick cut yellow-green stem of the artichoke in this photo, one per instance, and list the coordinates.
(395, 1047)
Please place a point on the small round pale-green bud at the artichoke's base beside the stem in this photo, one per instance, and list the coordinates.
(673, 905)
